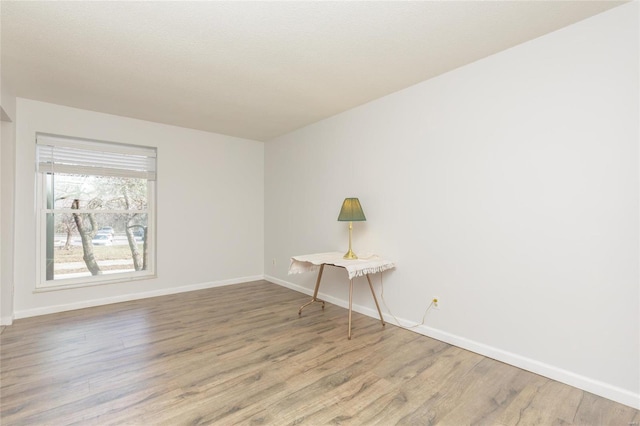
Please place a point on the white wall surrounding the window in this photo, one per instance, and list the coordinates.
(210, 206)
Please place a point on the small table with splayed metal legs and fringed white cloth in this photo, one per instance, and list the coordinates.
(362, 266)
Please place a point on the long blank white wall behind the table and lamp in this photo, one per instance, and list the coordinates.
(509, 188)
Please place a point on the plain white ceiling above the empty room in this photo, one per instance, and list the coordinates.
(253, 69)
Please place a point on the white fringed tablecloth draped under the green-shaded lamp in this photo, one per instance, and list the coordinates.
(365, 264)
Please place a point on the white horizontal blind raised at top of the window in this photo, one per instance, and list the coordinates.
(56, 154)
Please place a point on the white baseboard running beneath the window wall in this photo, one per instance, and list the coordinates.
(128, 297)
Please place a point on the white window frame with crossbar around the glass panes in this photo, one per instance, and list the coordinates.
(43, 179)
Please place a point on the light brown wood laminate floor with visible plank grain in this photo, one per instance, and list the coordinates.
(241, 355)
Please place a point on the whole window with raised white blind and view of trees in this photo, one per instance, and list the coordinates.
(96, 204)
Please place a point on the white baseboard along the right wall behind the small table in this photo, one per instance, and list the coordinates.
(588, 384)
